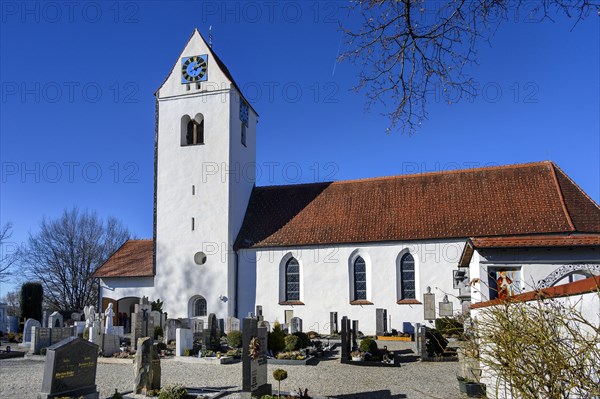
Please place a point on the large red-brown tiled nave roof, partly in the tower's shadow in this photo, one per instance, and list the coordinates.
(526, 199)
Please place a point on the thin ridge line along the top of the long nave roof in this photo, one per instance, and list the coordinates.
(413, 175)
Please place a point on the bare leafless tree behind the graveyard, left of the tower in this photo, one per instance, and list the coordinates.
(66, 252)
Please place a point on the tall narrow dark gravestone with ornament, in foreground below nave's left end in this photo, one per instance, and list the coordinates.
(254, 370)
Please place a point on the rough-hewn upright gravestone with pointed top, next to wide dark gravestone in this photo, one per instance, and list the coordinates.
(146, 367)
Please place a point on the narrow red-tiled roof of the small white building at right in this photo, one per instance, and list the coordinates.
(544, 241)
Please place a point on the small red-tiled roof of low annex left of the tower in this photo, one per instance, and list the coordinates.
(133, 259)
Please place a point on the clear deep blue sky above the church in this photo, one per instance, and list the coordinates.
(77, 105)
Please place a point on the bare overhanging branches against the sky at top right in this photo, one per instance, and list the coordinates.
(411, 50)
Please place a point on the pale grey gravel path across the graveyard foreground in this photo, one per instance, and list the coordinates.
(22, 378)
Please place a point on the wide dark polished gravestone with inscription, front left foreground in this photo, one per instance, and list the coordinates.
(70, 370)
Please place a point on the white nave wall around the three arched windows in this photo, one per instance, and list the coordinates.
(325, 282)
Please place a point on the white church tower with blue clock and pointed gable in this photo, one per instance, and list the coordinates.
(205, 171)
